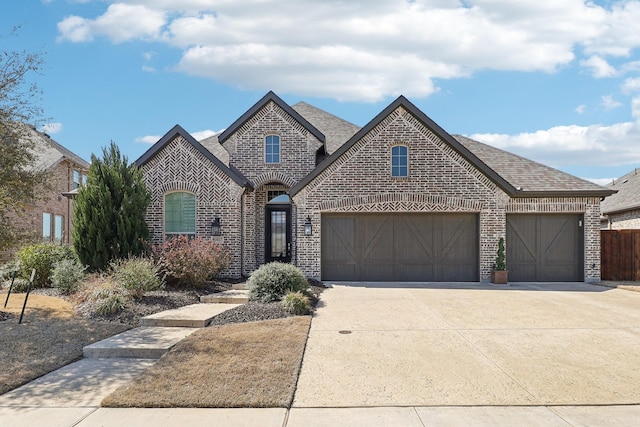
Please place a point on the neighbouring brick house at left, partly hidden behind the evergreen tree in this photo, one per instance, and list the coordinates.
(50, 218)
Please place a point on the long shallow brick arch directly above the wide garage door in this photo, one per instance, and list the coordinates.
(404, 202)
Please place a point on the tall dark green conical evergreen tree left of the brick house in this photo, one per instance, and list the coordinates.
(109, 211)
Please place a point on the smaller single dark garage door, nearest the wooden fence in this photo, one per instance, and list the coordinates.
(545, 248)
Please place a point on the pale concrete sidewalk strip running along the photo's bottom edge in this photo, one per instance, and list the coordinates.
(561, 416)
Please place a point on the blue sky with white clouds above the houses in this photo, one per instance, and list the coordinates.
(557, 81)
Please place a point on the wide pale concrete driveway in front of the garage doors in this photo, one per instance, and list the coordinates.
(469, 344)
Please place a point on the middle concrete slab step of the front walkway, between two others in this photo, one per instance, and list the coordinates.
(190, 316)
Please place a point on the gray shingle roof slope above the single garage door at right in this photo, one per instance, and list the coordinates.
(529, 176)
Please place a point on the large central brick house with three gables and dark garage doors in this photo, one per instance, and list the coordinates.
(397, 200)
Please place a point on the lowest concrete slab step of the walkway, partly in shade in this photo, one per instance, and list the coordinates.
(138, 343)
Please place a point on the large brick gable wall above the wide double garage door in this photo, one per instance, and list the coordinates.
(360, 172)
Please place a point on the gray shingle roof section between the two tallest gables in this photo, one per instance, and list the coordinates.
(336, 130)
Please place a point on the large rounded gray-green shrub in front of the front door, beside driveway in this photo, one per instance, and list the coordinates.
(272, 281)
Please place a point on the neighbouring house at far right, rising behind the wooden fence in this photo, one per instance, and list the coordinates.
(622, 210)
